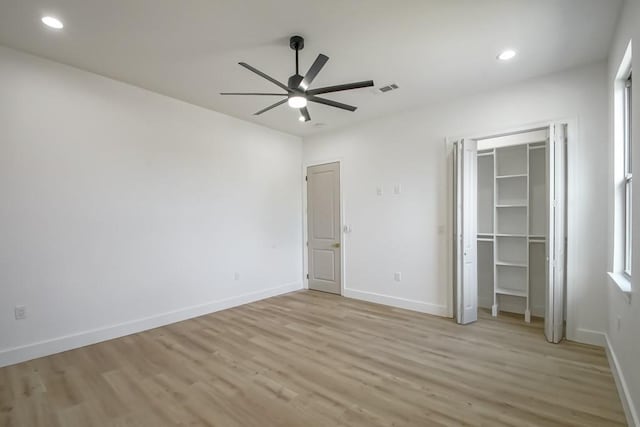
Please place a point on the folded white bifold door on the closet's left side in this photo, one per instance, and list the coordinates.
(465, 235)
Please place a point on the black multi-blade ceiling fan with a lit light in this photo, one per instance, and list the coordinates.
(297, 90)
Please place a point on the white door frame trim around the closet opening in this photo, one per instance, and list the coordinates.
(572, 266)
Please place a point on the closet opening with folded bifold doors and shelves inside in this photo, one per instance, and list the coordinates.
(509, 238)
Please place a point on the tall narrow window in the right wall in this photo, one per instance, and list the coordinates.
(628, 193)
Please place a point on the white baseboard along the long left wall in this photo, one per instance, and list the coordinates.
(68, 342)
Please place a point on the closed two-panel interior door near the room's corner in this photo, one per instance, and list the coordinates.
(323, 220)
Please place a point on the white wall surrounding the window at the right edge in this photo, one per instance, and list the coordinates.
(624, 343)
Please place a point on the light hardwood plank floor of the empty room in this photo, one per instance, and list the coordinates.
(314, 359)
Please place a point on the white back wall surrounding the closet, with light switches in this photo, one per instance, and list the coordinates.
(406, 232)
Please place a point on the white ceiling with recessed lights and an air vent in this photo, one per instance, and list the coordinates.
(433, 49)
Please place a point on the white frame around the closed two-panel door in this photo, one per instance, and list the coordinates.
(305, 230)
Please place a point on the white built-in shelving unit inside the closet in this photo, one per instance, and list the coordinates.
(505, 218)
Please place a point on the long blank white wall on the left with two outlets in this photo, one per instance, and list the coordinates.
(122, 209)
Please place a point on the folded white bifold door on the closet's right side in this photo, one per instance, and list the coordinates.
(555, 247)
